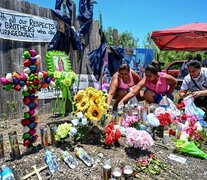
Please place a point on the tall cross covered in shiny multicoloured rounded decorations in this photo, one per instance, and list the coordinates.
(30, 80)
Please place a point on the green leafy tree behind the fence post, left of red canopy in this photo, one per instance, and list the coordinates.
(125, 39)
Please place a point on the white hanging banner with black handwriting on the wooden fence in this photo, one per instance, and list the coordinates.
(23, 27)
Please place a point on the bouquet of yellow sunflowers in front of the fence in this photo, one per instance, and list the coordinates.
(92, 103)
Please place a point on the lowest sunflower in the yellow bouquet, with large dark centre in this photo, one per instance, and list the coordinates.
(94, 113)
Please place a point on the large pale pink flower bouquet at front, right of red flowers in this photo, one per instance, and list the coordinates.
(139, 138)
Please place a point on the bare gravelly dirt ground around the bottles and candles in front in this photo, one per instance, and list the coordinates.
(118, 156)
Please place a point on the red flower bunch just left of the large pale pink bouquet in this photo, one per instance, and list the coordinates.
(112, 134)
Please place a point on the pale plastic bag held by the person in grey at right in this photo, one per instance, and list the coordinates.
(191, 109)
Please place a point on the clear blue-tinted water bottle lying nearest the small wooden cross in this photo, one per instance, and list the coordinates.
(51, 162)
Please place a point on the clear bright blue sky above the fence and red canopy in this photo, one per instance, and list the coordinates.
(142, 16)
